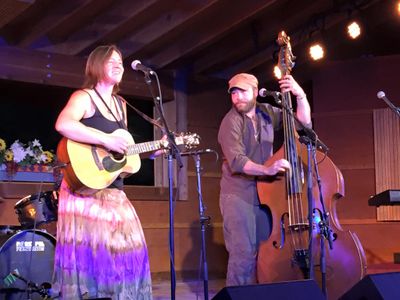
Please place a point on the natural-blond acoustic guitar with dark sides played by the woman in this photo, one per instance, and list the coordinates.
(89, 168)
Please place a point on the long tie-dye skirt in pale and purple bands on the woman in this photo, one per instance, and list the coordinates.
(101, 250)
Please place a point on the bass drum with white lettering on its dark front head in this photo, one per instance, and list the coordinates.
(29, 253)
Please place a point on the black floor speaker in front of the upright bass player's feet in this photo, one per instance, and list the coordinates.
(288, 290)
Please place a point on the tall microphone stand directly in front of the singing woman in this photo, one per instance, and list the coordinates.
(173, 152)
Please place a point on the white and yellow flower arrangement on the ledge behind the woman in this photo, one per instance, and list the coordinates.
(24, 155)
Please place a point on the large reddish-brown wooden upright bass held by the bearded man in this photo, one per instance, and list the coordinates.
(306, 241)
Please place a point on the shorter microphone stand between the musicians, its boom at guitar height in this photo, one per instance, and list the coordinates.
(204, 220)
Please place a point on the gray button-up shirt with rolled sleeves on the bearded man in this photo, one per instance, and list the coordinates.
(240, 143)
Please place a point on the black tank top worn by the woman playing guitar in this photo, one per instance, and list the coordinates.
(99, 122)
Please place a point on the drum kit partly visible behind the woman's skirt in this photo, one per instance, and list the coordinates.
(27, 251)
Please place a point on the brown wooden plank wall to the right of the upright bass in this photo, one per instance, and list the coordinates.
(344, 100)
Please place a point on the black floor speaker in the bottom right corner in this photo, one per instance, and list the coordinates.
(375, 287)
